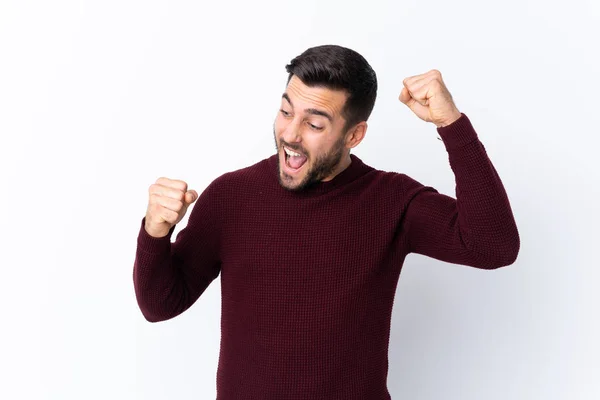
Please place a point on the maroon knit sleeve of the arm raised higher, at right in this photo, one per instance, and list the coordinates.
(475, 229)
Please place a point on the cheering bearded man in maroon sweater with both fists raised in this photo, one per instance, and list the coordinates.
(310, 241)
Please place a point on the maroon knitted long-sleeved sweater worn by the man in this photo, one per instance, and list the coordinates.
(308, 279)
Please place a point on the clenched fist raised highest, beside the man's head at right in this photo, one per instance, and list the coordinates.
(427, 96)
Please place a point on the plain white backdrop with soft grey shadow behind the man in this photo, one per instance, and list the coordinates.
(99, 99)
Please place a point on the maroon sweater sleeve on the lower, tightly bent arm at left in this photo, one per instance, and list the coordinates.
(169, 277)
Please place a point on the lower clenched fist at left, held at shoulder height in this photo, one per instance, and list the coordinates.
(168, 202)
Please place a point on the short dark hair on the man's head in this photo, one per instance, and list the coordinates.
(335, 68)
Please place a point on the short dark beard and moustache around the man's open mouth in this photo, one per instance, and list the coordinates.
(323, 166)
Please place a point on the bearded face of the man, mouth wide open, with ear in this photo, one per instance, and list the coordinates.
(309, 137)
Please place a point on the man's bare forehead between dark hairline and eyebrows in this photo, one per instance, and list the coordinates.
(303, 96)
